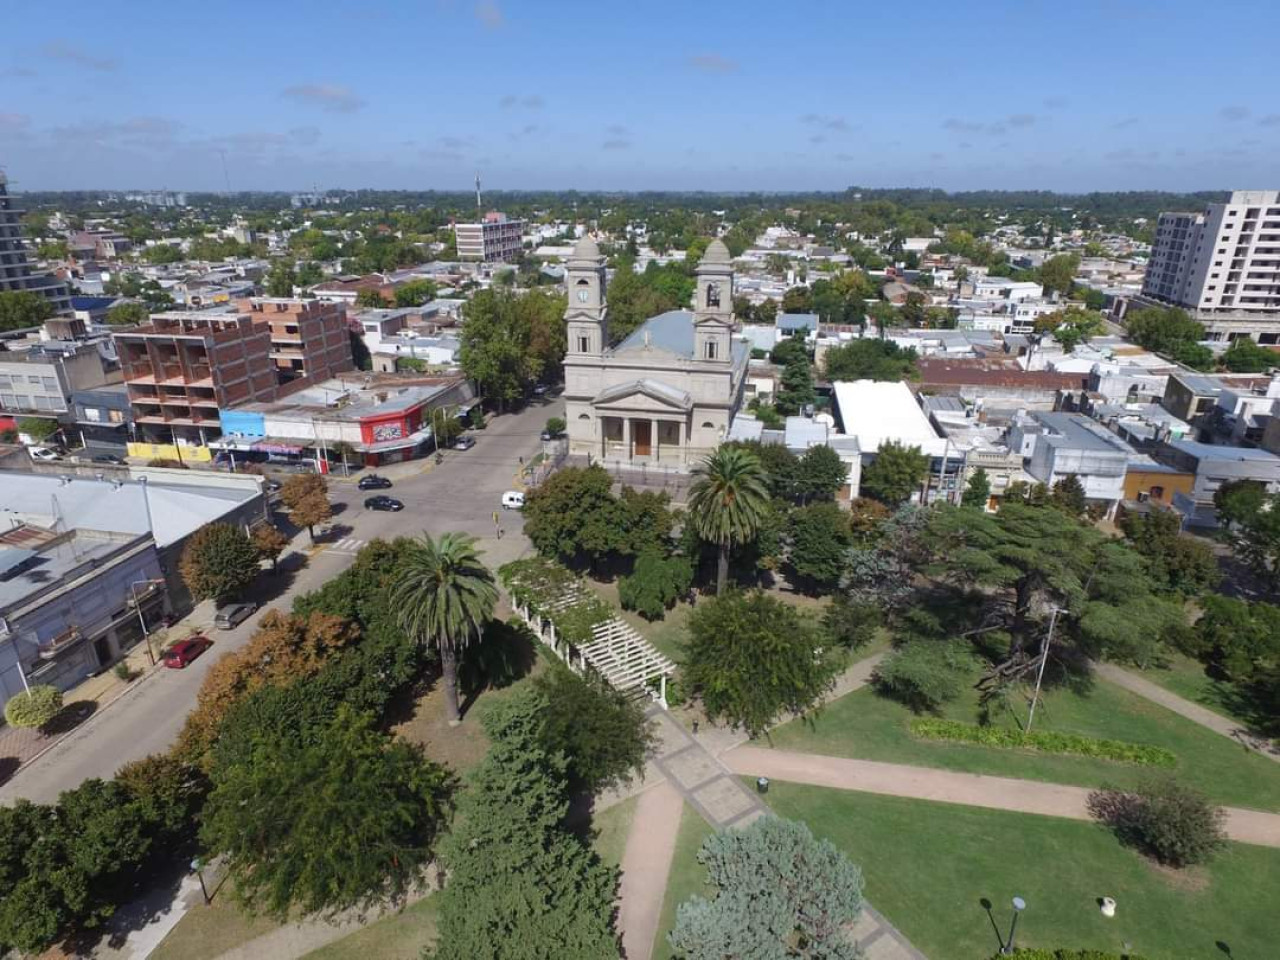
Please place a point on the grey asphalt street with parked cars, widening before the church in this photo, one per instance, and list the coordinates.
(463, 493)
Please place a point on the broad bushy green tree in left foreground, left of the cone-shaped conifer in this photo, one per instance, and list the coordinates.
(341, 819)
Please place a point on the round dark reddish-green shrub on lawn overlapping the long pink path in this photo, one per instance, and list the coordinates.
(1168, 821)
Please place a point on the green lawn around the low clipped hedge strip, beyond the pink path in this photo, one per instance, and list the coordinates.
(868, 726)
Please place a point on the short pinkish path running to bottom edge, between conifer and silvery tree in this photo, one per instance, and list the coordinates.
(646, 867)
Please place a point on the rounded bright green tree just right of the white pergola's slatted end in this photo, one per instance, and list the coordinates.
(753, 659)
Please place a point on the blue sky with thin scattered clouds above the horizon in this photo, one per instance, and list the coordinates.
(644, 95)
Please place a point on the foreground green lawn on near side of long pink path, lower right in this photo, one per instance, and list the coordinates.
(929, 866)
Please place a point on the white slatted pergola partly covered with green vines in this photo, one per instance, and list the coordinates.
(616, 651)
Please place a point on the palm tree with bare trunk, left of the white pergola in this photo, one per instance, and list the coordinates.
(445, 596)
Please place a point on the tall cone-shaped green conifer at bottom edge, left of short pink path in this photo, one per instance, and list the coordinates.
(522, 886)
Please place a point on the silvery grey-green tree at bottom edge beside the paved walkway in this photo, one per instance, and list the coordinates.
(780, 894)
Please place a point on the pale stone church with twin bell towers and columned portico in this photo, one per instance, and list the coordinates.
(668, 395)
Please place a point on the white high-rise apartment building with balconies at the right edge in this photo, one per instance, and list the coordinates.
(1223, 266)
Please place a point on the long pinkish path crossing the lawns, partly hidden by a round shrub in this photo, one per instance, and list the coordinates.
(966, 789)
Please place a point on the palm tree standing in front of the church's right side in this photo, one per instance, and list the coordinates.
(728, 502)
